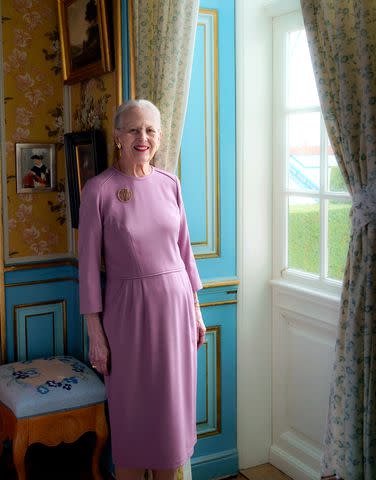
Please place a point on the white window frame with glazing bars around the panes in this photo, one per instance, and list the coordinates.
(281, 25)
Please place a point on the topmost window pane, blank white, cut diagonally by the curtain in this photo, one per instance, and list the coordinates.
(301, 86)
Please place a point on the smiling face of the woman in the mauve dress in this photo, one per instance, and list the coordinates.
(139, 135)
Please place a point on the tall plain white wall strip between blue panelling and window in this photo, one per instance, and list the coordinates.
(254, 162)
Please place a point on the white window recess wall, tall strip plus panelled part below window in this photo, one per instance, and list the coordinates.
(285, 340)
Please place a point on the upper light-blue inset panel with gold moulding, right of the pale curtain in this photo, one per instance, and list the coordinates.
(202, 124)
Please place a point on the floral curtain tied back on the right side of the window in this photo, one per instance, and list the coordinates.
(342, 41)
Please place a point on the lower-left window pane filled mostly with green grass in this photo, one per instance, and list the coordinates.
(304, 234)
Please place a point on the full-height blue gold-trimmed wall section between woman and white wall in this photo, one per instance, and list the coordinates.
(208, 175)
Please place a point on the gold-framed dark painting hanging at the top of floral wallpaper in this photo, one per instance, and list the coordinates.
(86, 38)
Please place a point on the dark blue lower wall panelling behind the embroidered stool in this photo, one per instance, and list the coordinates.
(42, 312)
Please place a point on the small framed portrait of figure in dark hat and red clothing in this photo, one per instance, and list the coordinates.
(35, 167)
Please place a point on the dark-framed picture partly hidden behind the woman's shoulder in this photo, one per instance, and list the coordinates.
(86, 156)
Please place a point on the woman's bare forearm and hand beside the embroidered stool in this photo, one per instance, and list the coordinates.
(99, 352)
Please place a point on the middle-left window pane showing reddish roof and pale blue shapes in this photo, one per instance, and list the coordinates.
(304, 151)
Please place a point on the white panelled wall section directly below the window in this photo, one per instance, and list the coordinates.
(304, 335)
